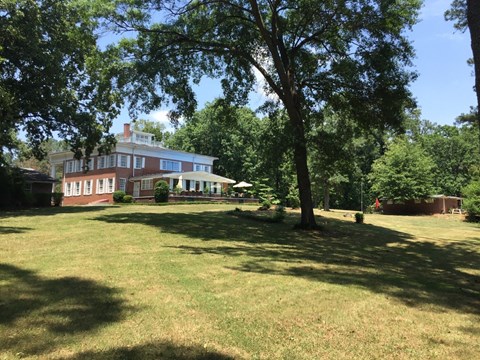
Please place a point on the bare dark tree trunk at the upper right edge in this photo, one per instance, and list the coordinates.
(473, 18)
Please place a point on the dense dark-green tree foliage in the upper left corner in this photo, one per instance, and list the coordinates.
(52, 78)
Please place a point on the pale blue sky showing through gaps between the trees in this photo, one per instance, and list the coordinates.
(443, 90)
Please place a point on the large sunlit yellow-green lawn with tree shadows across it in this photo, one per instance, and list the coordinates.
(189, 281)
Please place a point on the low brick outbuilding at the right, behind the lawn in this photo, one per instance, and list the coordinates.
(435, 204)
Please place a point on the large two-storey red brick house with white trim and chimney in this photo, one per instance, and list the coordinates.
(134, 165)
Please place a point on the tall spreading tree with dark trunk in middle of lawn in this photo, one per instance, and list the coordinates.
(351, 54)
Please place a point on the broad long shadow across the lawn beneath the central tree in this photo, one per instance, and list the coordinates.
(382, 260)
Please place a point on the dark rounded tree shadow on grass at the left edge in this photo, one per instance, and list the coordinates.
(37, 313)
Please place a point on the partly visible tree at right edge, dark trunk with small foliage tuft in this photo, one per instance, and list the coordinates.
(466, 14)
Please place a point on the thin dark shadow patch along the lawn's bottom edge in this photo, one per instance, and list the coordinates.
(161, 350)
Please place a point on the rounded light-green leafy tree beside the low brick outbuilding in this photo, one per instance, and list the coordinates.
(404, 172)
